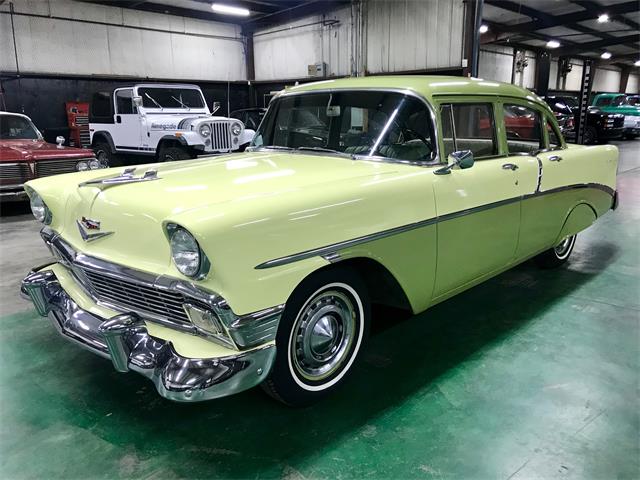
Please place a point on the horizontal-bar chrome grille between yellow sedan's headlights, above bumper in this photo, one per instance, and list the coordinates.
(134, 296)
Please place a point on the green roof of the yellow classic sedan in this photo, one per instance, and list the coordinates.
(427, 86)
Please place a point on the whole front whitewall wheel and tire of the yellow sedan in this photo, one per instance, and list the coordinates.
(321, 333)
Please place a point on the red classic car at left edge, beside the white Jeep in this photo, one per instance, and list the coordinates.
(24, 155)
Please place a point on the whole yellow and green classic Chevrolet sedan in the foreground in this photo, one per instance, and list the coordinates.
(211, 276)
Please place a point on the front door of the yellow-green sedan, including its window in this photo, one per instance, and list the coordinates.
(478, 208)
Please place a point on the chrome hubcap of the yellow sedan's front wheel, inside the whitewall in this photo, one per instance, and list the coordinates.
(323, 335)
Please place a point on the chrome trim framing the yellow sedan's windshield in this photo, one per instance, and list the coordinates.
(403, 91)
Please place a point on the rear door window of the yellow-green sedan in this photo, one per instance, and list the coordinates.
(522, 125)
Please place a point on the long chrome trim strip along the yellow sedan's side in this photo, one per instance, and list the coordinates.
(331, 252)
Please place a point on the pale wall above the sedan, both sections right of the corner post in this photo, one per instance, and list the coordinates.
(400, 35)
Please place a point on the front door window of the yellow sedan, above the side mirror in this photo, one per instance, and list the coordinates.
(469, 126)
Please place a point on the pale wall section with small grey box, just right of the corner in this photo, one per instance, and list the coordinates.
(285, 51)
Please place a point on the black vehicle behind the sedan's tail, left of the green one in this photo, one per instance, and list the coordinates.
(600, 125)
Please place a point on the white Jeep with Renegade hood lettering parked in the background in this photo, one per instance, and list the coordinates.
(164, 121)
